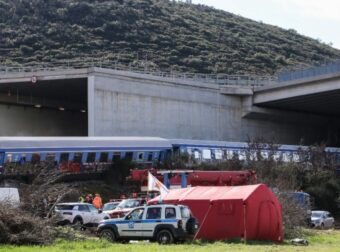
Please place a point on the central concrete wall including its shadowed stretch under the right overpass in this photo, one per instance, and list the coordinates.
(129, 106)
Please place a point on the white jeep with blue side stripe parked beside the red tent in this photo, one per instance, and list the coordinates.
(163, 223)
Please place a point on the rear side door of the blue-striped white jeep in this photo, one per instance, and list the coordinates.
(153, 217)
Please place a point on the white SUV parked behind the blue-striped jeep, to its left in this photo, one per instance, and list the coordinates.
(79, 213)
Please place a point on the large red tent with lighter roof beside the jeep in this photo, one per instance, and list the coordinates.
(251, 212)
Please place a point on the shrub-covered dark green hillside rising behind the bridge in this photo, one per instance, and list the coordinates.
(160, 34)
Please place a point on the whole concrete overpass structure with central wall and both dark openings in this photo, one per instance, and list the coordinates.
(94, 101)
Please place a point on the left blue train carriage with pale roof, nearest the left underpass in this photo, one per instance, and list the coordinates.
(74, 154)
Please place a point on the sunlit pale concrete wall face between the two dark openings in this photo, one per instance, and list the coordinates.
(126, 106)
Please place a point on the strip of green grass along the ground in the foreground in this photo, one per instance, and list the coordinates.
(318, 241)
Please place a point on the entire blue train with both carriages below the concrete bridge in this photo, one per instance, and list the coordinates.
(76, 154)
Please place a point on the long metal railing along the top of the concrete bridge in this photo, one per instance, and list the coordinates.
(221, 79)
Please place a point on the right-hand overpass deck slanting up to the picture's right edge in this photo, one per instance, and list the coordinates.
(317, 95)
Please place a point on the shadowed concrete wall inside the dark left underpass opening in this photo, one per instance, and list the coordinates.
(26, 121)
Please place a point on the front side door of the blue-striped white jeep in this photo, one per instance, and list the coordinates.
(132, 224)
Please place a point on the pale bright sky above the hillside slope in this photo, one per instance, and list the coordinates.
(319, 19)
